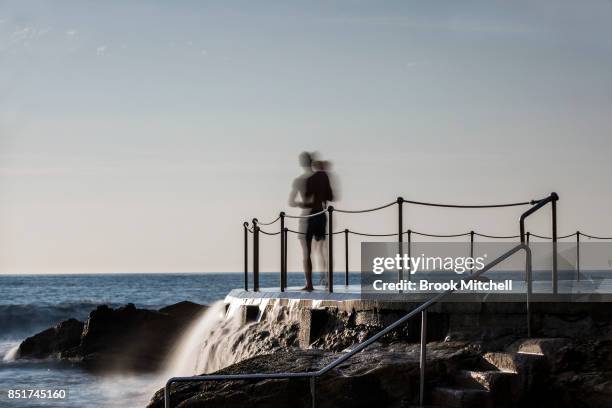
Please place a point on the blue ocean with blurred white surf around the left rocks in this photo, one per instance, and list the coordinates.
(31, 303)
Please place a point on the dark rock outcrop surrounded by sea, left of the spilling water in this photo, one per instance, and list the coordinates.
(123, 339)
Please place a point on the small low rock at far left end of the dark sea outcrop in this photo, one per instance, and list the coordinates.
(53, 341)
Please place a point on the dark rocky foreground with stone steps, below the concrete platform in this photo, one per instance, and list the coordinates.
(459, 374)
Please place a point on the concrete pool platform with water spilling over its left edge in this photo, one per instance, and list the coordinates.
(320, 314)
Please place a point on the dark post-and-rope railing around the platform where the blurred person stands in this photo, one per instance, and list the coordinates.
(283, 232)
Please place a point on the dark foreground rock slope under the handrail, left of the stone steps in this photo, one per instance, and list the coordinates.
(372, 378)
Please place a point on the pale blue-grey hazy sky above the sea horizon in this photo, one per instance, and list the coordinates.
(138, 136)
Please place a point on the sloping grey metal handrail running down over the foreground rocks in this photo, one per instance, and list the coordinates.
(359, 347)
